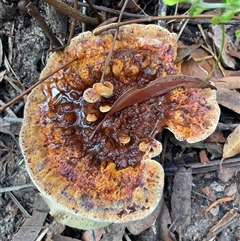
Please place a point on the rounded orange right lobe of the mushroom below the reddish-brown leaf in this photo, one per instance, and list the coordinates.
(193, 113)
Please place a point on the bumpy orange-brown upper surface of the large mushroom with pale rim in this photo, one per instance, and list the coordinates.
(109, 177)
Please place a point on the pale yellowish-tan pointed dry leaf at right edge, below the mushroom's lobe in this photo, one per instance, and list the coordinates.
(232, 145)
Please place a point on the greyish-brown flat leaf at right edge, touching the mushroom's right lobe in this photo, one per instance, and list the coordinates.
(229, 99)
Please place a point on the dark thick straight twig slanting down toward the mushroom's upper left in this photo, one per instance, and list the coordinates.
(32, 10)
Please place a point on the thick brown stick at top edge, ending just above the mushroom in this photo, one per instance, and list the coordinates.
(64, 8)
